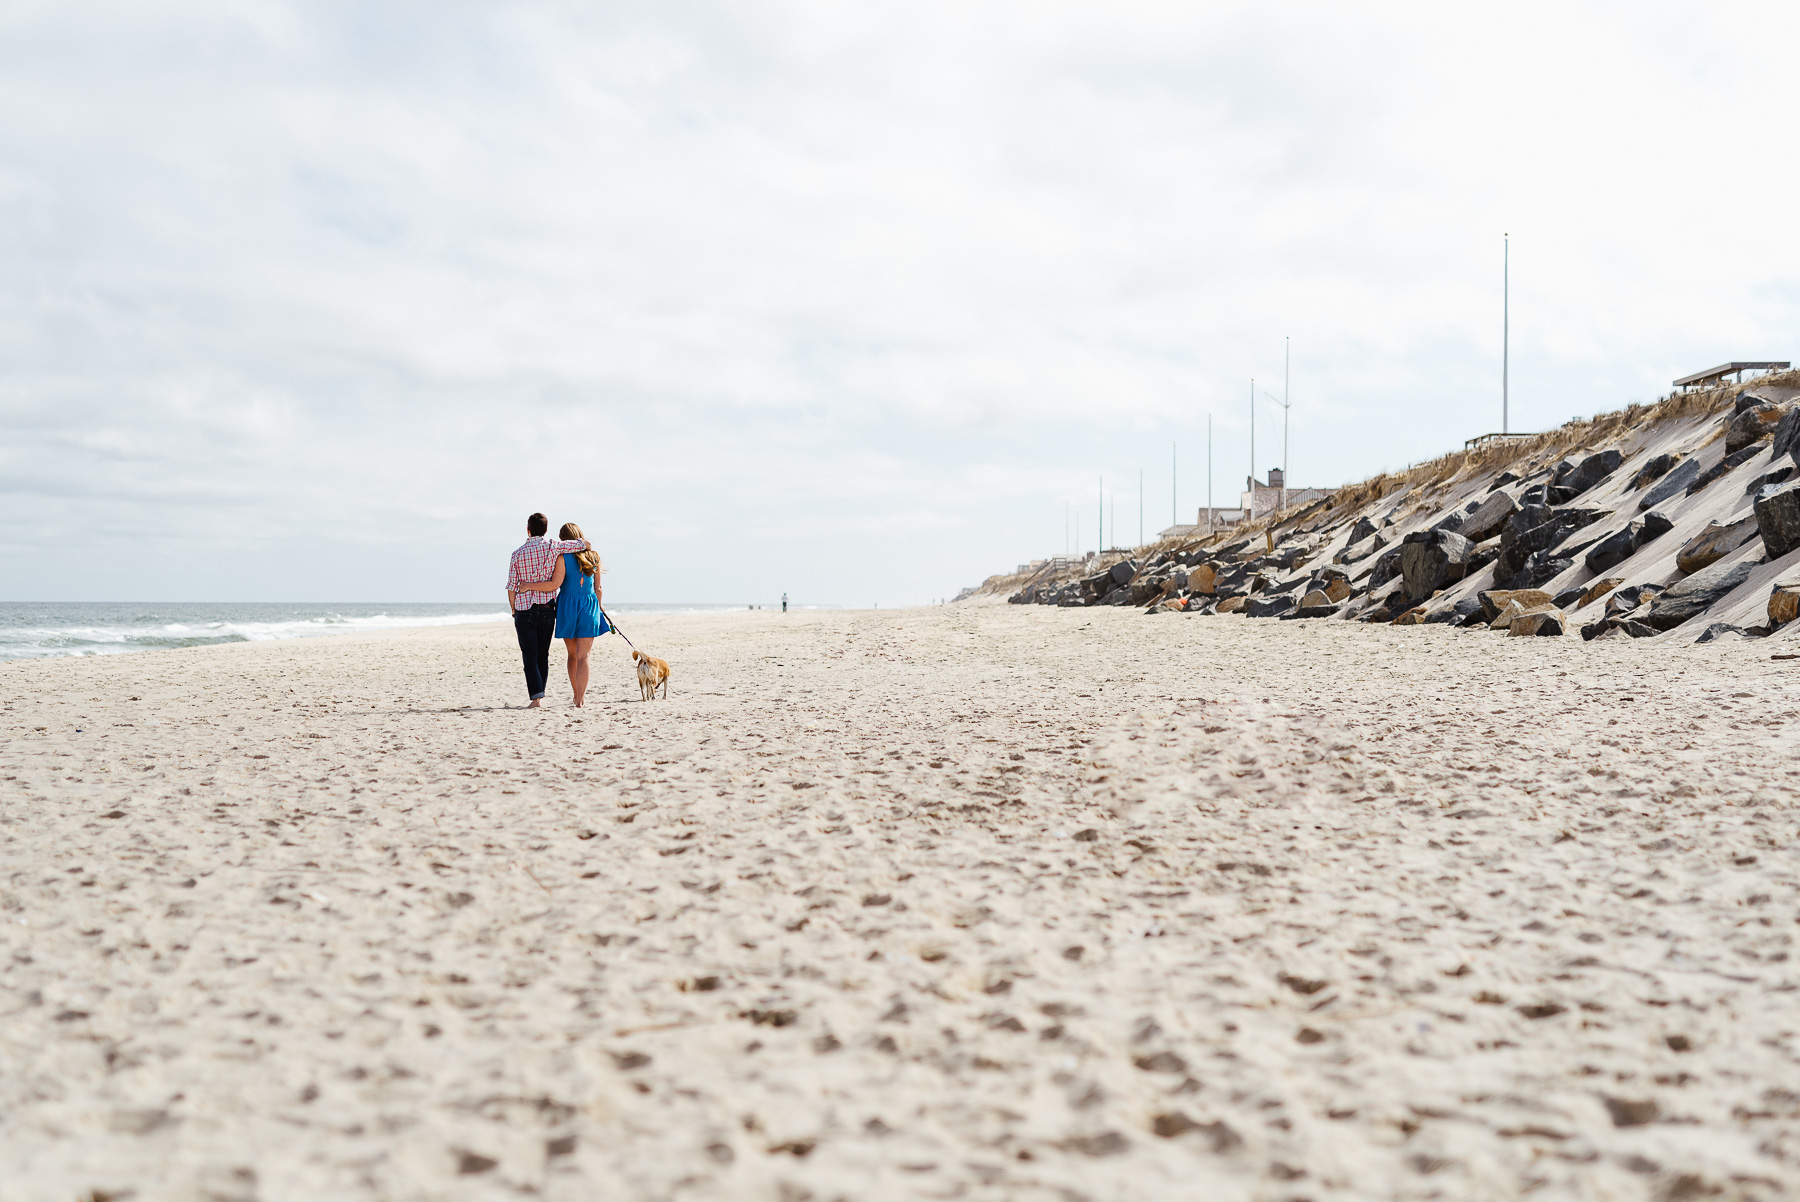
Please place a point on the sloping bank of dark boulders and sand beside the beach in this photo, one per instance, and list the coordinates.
(1671, 521)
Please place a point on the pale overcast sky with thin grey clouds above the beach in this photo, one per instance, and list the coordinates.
(319, 301)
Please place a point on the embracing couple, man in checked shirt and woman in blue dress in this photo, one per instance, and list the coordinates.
(553, 589)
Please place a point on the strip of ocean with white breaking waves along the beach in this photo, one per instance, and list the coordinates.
(33, 631)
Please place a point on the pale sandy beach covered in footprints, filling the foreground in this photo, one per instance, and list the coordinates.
(967, 902)
